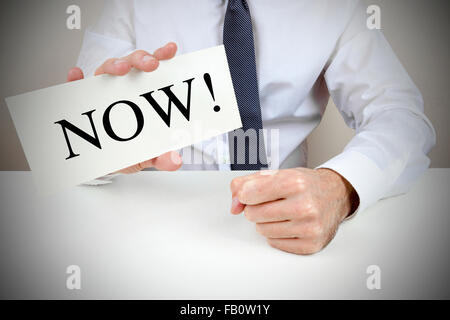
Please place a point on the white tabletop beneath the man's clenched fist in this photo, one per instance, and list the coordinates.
(159, 235)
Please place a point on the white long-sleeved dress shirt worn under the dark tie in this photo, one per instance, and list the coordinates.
(305, 51)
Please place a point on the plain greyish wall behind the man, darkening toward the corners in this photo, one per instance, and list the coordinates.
(38, 49)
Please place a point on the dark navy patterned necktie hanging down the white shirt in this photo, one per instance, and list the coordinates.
(247, 149)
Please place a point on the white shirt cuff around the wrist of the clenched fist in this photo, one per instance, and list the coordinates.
(362, 173)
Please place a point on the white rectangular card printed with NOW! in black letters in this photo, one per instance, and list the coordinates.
(127, 132)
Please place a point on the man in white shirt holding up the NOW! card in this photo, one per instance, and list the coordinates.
(305, 51)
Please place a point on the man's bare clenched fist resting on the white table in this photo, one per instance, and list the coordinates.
(298, 210)
